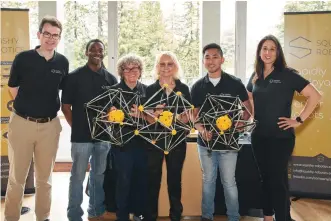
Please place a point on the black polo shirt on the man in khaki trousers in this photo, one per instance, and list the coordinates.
(39, 82)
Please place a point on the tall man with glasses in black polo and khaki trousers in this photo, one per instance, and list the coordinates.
(34, 128)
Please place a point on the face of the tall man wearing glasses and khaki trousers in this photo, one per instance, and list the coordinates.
(49, 37)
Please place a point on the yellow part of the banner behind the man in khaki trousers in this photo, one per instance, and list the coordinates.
(14, 39)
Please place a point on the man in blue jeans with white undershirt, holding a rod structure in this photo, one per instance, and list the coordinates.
(217, 82)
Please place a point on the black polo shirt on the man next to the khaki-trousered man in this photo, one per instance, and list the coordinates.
(81, 86)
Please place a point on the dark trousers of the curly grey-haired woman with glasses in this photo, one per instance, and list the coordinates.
(131, 184)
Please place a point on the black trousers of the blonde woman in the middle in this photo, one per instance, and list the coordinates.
(174, 160)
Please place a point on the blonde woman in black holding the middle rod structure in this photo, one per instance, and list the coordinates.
(167, 71)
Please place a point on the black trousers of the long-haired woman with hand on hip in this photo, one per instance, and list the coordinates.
(272, 156)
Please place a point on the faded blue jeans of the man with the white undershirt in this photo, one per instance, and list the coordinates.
(226, 161)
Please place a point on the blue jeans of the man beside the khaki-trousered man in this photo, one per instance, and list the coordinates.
(81, 154)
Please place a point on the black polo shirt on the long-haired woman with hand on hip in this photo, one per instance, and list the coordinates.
(273, 99)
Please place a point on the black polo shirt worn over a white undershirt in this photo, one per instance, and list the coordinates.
(228, 85)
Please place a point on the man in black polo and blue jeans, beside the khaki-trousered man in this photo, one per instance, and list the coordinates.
(81, 86)
